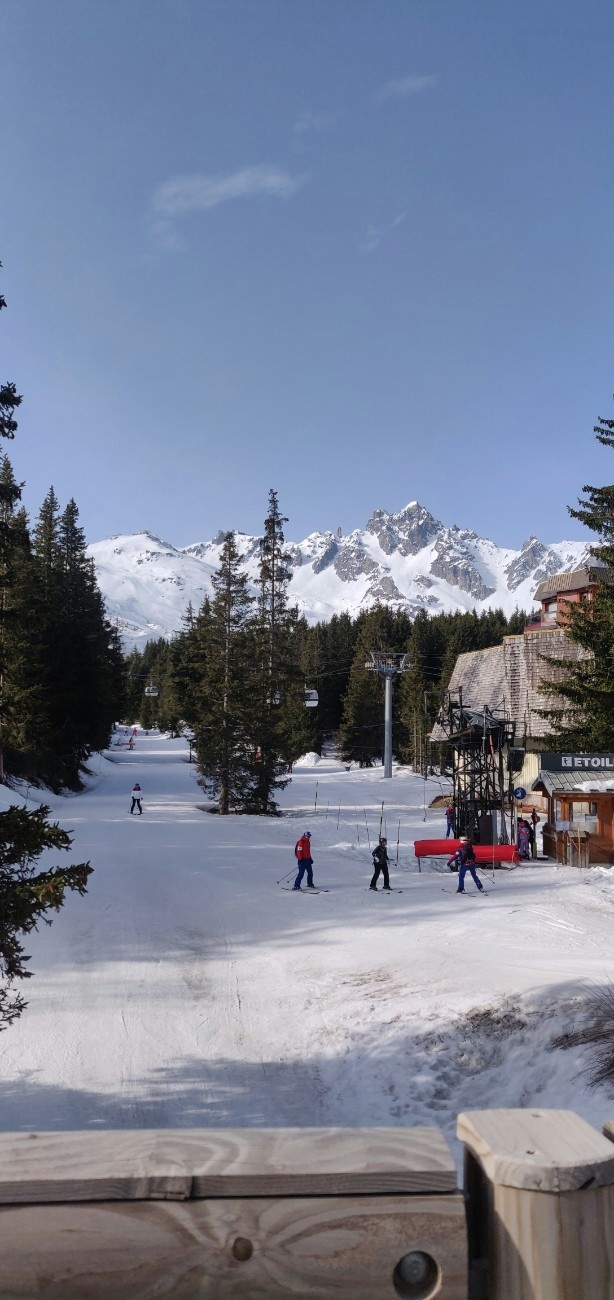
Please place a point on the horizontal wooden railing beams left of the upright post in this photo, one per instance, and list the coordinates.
(232, 1215)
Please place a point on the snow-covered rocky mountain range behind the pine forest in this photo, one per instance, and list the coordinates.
(408, 560)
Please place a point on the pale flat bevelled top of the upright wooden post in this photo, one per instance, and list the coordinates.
(547, 1151)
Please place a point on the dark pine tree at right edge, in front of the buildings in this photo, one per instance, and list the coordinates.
(587, 686)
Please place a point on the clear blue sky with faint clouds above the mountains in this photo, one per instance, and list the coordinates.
(356, 250)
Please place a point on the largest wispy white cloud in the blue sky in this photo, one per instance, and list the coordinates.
(198, 193)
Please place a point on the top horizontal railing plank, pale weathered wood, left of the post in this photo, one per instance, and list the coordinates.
(180, 1164)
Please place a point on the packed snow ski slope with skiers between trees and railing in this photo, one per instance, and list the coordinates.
(191, 989)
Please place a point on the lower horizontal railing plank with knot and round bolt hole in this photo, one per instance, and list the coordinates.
(231, 1250)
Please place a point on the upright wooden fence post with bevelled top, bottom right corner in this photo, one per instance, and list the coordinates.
(541, 1206)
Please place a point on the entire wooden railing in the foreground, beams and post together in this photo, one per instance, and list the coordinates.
(365, 1215)
